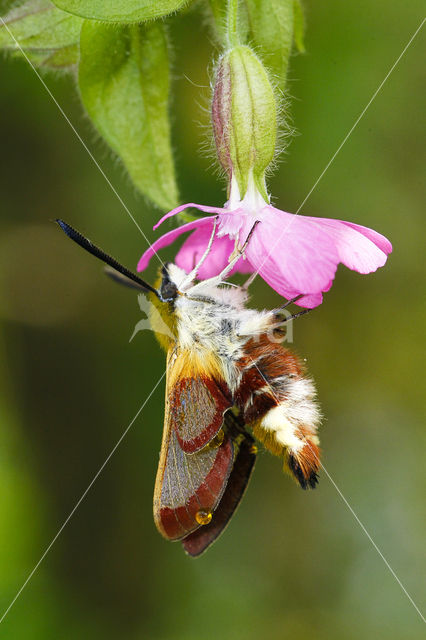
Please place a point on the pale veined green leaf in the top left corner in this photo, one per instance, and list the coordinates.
(48, 35)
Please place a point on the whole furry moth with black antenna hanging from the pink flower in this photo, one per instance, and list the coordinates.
(227, 383)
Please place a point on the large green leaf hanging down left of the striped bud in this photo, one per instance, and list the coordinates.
(124, 84)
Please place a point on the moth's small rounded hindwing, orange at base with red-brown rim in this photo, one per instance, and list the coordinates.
(198, 399)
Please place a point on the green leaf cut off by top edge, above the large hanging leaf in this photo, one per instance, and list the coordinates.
(126, 11)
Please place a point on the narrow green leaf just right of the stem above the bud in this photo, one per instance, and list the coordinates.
(271, 26)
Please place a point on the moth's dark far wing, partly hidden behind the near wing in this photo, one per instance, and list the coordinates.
(198, 541)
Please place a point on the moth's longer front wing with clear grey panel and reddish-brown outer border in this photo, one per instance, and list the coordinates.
(187, 484)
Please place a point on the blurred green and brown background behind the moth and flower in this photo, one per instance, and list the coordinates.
(291, 564)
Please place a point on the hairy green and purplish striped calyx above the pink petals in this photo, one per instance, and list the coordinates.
(244, 116)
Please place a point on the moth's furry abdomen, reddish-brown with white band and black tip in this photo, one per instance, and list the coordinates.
(278, 402)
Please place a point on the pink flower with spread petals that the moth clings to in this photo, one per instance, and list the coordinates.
(294, 254)
